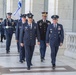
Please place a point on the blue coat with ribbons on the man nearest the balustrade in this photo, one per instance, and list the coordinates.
(55, 36)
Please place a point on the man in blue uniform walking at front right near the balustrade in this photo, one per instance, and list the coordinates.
(54, 37)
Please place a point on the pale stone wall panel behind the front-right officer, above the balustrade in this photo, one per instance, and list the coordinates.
(65, 11)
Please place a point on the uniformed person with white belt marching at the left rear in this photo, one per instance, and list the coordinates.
(9, 25)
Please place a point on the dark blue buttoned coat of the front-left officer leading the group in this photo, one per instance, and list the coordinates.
(28, 36)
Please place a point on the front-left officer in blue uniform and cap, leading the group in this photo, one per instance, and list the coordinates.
(29, 33)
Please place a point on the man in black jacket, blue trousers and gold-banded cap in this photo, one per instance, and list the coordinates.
(42, 25)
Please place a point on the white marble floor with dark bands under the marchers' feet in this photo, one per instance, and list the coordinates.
(12, 62)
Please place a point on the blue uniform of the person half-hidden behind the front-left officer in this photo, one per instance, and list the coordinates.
(21, 49)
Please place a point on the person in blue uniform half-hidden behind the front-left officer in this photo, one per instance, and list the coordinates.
(18, 31)
